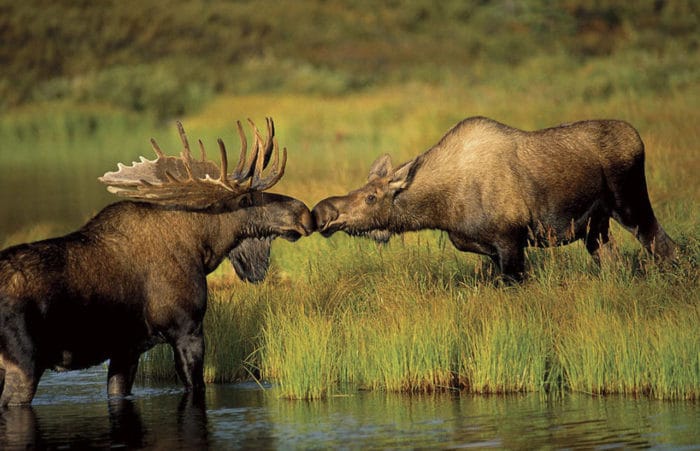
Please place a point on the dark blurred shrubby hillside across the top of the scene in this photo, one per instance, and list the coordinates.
(168, 58)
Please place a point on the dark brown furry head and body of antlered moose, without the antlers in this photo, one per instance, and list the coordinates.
(133, 276)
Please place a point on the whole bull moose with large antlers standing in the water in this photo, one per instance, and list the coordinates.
(135, 274)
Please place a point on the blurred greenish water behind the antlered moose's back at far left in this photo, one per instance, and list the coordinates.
(50, 161)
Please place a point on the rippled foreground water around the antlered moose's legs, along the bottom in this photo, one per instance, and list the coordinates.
(71, 411)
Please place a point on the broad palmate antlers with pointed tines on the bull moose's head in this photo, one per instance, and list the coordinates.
(192, 183)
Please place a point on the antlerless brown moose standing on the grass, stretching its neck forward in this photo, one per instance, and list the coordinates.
(496, 189)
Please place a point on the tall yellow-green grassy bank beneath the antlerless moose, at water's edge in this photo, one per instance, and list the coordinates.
(416, 316)
